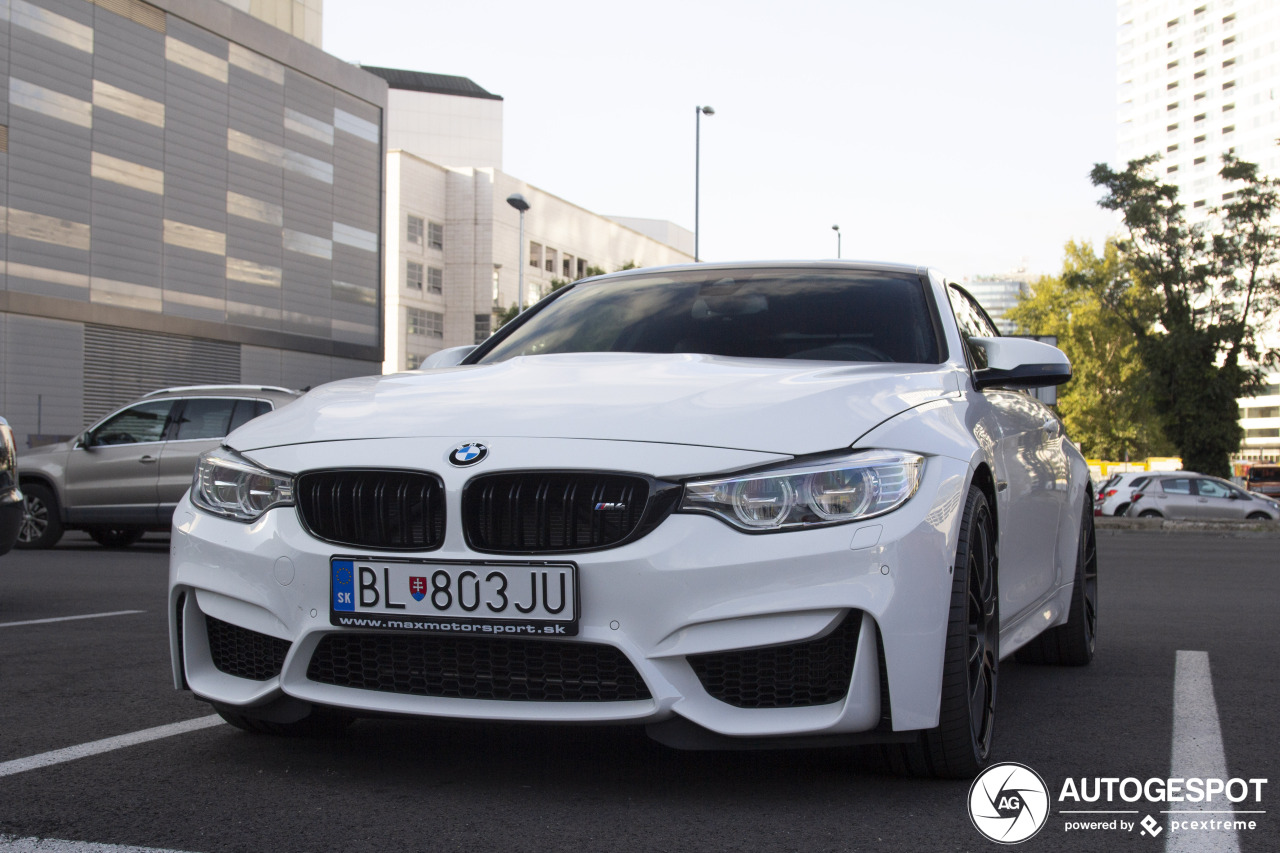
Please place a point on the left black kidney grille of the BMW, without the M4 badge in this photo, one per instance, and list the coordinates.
(374, 509)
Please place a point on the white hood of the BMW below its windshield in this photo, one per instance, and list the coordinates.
(746, 404)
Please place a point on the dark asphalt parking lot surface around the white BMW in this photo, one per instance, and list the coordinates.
(409, 786)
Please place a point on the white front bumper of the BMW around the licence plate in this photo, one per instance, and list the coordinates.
(692, 591)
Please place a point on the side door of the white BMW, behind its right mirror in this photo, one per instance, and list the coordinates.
(1032, 477)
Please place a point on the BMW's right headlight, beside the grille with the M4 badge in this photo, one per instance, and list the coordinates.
(857, 487)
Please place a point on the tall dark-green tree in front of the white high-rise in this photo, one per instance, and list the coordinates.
(1195, 297)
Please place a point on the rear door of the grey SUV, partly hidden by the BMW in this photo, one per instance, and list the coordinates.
(199, 426)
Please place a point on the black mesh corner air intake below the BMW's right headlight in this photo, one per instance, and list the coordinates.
(797, 676)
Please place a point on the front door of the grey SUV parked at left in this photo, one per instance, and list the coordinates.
(112, 472)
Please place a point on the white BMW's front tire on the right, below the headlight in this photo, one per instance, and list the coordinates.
(961, 746)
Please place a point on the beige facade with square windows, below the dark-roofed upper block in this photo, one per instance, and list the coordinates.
(455, 254)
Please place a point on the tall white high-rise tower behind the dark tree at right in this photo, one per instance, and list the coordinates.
(1199, 79)
